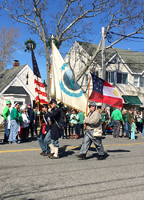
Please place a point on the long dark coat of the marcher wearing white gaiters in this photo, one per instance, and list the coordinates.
(55, 115)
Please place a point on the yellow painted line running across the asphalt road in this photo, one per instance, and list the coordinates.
(70, 147)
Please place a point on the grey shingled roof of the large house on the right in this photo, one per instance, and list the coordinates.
(133, 59)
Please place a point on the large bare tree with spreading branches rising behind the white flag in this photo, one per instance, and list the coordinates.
(72, 19)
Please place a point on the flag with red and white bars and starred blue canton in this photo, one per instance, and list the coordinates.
(105, 92)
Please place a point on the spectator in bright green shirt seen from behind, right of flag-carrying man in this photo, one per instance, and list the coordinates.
(117, 118)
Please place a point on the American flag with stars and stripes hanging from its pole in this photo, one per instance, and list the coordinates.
(41, 96)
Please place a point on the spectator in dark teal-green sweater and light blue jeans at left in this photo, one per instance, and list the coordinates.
(14, 124)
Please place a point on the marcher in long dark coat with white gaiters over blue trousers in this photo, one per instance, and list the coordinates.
(54, 134)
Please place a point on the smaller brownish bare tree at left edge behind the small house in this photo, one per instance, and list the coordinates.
(8, 45)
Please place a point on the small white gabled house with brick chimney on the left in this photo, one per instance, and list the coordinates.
(16, 84)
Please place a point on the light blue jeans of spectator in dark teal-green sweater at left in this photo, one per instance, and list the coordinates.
(13, 131)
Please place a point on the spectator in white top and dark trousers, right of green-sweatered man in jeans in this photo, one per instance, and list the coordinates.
(25, 123)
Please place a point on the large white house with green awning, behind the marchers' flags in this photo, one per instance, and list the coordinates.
(124, 70)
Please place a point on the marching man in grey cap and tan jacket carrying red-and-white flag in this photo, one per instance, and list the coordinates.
(93, 122)
